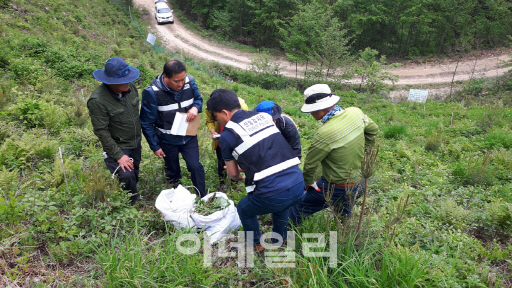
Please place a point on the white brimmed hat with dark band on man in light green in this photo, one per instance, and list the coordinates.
(318, 97)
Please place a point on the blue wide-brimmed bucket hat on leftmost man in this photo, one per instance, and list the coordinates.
(116, 72)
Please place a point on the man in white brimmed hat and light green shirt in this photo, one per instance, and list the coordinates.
(338, 146)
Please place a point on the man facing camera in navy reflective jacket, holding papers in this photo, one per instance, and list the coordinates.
(173, 92)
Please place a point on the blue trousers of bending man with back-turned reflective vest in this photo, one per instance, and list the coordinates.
(251, 206)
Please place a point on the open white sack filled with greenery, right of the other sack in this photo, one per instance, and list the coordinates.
(220, 223)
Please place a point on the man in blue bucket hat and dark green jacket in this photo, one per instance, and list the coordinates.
(114, 111)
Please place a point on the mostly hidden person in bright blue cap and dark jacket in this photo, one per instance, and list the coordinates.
(284, 123)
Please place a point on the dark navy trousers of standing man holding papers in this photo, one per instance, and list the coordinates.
(190, 153)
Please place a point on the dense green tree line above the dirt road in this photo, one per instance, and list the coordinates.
(307, 29)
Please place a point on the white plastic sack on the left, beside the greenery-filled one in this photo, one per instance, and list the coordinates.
(175, 206)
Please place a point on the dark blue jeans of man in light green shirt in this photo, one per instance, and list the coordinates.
(315, 201)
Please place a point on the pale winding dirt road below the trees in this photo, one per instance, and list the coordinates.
(177, 38)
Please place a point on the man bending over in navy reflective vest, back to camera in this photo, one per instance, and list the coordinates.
(273, 179)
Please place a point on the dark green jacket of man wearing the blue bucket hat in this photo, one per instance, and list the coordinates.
(115, 120)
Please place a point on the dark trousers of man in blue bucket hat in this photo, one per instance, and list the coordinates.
(128, 178)
